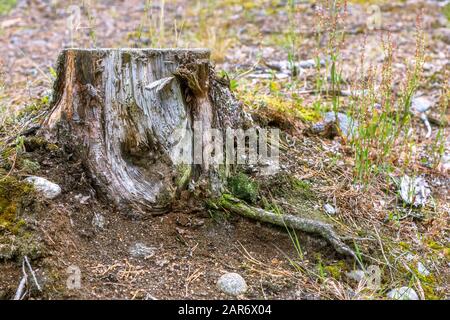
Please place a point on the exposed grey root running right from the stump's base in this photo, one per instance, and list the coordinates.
(325, 230)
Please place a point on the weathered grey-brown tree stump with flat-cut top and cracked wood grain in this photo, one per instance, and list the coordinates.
(128, 114)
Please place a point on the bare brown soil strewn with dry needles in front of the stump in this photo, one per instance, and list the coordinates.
(191, 250)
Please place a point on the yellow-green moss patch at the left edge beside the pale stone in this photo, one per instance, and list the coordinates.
(12, 194)
